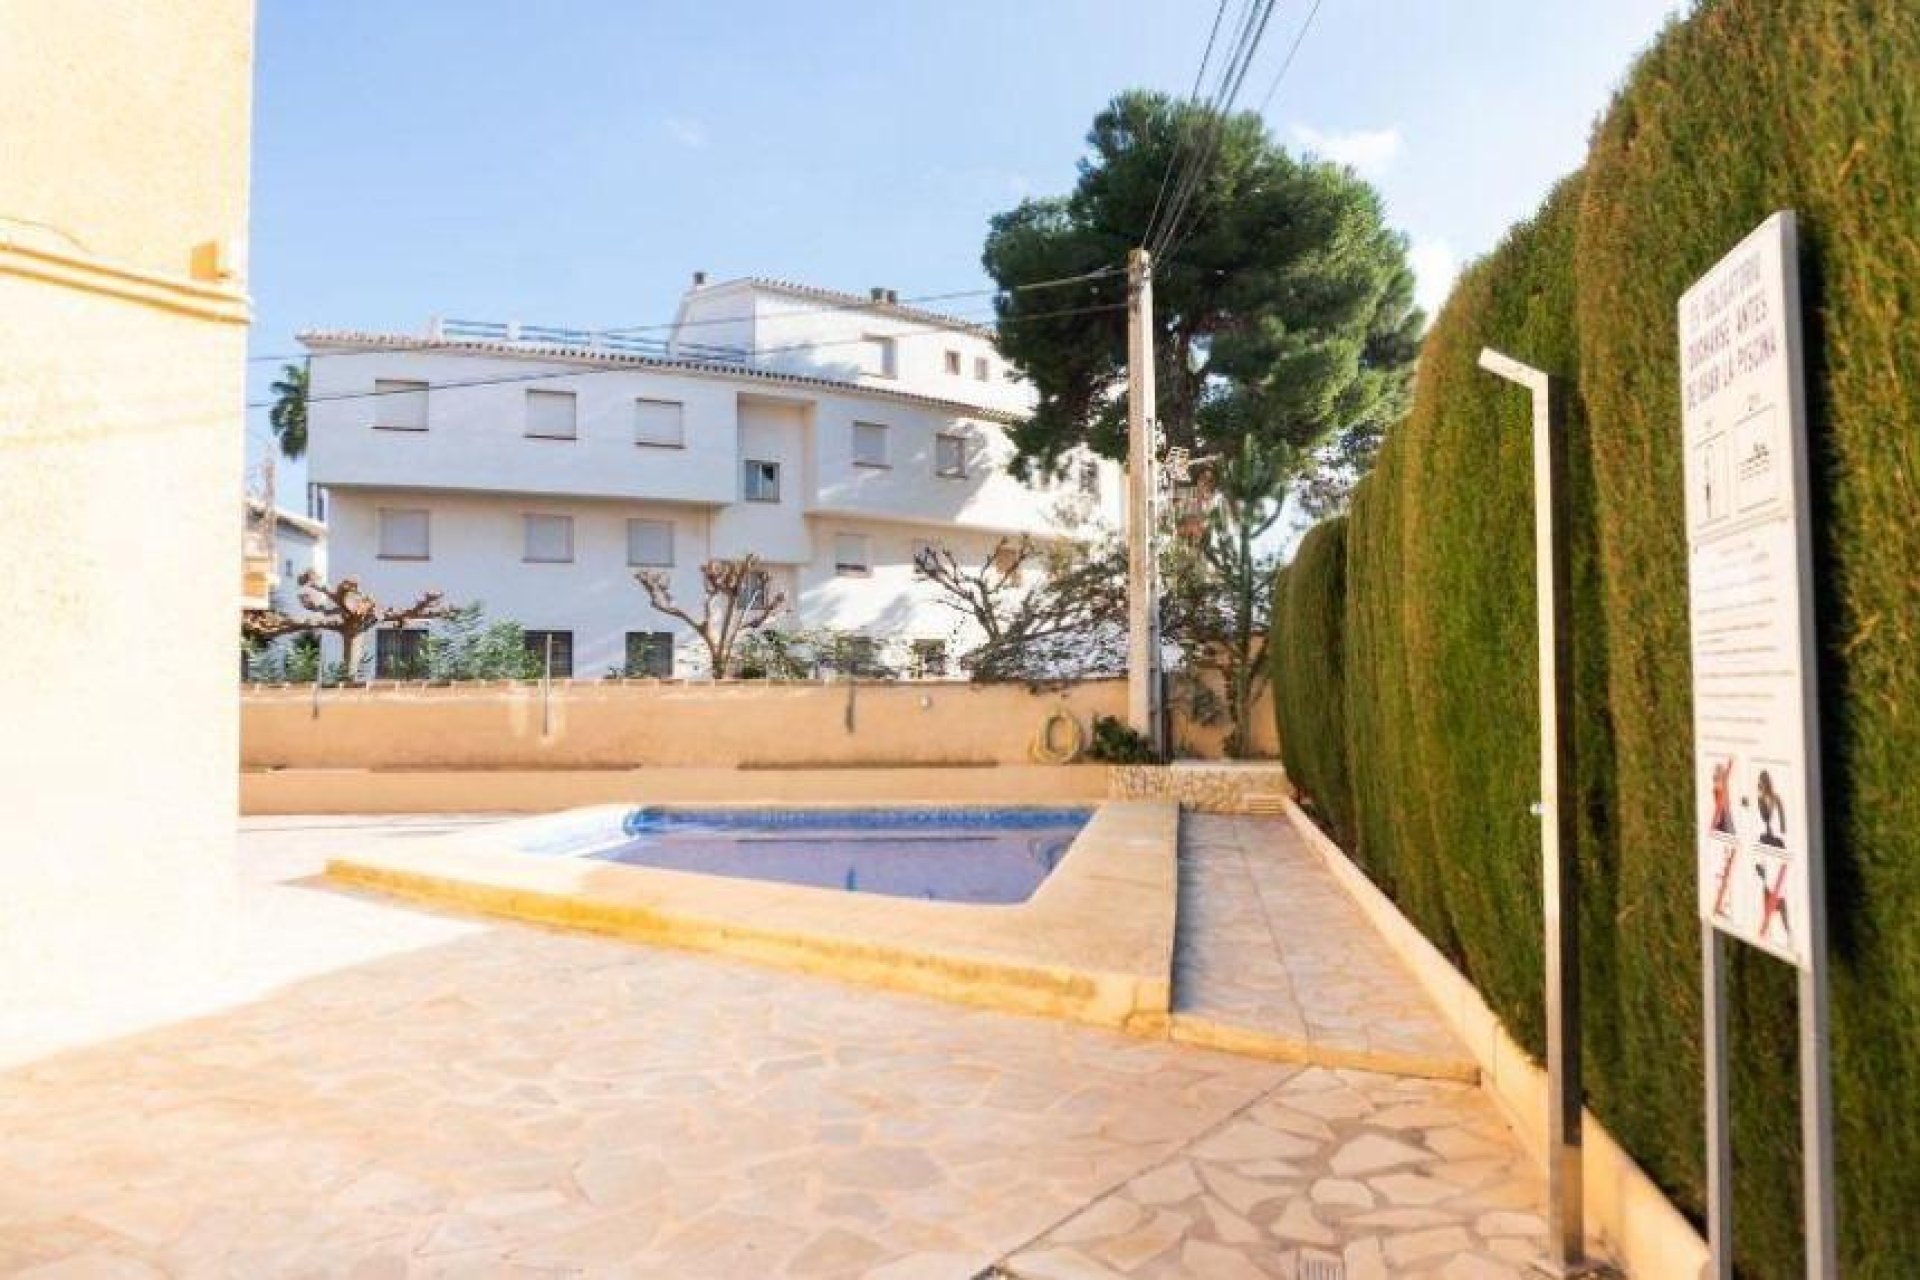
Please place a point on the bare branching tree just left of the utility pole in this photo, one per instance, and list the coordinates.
(1045, 609)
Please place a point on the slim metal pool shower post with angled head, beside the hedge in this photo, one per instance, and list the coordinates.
(1558, 840)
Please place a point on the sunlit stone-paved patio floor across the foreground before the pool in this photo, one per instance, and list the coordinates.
(412, 1095)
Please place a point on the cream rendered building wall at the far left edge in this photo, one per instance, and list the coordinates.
(122, 392)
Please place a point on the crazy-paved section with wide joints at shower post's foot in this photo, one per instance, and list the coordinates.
(1364, 1173)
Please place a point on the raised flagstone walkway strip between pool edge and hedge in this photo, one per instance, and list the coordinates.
(1274, 959)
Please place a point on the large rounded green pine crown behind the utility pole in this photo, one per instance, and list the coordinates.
(1287, 310)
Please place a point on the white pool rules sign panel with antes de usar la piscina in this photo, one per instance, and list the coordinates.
(1756, 765)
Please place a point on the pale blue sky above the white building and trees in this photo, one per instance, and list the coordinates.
(573, 162)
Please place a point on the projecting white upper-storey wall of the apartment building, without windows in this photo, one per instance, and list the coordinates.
(477, 440)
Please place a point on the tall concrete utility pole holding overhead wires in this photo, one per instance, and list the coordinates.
(1143, 605)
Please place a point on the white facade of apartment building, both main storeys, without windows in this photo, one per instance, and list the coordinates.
(477, 473)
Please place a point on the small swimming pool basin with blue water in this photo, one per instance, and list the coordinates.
(949, 855)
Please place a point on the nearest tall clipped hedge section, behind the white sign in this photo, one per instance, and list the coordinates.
(1748, 108)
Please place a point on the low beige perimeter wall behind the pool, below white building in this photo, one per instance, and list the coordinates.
(610, 724)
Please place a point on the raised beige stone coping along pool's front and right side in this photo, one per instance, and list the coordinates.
(1093, 943)
